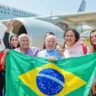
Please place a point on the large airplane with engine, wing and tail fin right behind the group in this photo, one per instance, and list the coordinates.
(37, 26)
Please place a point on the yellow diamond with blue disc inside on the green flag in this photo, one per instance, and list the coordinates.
(49, 80)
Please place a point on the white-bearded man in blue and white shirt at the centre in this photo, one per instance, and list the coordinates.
(50, 52)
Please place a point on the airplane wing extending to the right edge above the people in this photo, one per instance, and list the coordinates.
(77, 19)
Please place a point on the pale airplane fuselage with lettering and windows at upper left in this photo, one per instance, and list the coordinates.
(7, 12)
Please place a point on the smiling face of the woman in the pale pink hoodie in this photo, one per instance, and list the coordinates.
(70, 38)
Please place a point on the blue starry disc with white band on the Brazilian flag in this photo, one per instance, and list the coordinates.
(50, 81)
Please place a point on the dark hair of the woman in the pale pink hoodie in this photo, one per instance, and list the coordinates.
(76, 33)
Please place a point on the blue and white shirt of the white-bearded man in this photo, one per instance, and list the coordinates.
(47, 53)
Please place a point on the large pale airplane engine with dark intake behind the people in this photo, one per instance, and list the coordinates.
(36, 29)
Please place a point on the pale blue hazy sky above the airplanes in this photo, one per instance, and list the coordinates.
(44, 7)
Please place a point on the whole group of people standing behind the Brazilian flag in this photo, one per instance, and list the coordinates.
(73, 46)
